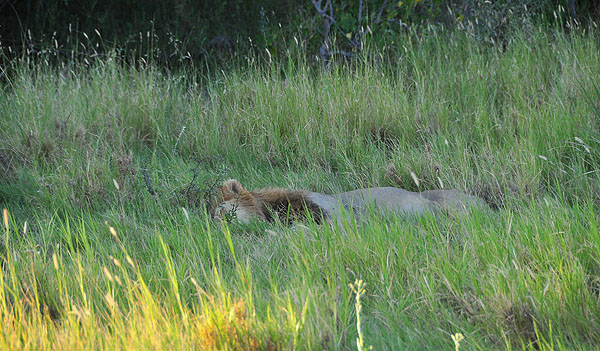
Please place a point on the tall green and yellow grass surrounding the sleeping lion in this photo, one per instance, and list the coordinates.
(91, 259)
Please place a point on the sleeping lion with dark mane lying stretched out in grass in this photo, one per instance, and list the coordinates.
(270, 204)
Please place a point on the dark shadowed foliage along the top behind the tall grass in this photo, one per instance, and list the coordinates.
(181, 29)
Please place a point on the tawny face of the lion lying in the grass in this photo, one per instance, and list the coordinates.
(236, 203)
